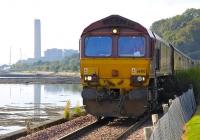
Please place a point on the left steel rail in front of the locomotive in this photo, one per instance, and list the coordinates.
(77, 133)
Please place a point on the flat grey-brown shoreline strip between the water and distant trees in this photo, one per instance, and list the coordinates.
(39, 78)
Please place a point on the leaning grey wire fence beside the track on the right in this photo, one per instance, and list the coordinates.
(170, 126)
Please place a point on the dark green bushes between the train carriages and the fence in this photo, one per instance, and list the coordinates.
(191, 76)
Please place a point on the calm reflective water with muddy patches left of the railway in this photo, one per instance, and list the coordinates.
(19, 102)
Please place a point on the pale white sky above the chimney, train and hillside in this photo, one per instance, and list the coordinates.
(62, 21)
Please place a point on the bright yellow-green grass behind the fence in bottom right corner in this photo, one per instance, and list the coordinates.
(192, 128)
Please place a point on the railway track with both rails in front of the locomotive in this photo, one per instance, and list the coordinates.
(88, 130)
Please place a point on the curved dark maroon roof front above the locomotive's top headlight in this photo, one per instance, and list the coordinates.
(115, 21)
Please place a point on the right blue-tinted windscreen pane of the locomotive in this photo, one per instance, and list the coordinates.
(131, 46)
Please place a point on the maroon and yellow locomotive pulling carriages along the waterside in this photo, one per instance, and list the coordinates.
(126, 70)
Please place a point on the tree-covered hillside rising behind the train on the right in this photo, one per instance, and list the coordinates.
(183, 31)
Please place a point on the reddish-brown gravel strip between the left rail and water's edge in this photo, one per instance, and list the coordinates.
(55, 132)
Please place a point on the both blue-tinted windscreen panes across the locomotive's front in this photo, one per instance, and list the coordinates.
(127, 46)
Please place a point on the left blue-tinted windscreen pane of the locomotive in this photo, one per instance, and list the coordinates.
(100, 46)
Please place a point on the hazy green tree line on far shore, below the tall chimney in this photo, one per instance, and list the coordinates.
(67, 64)
